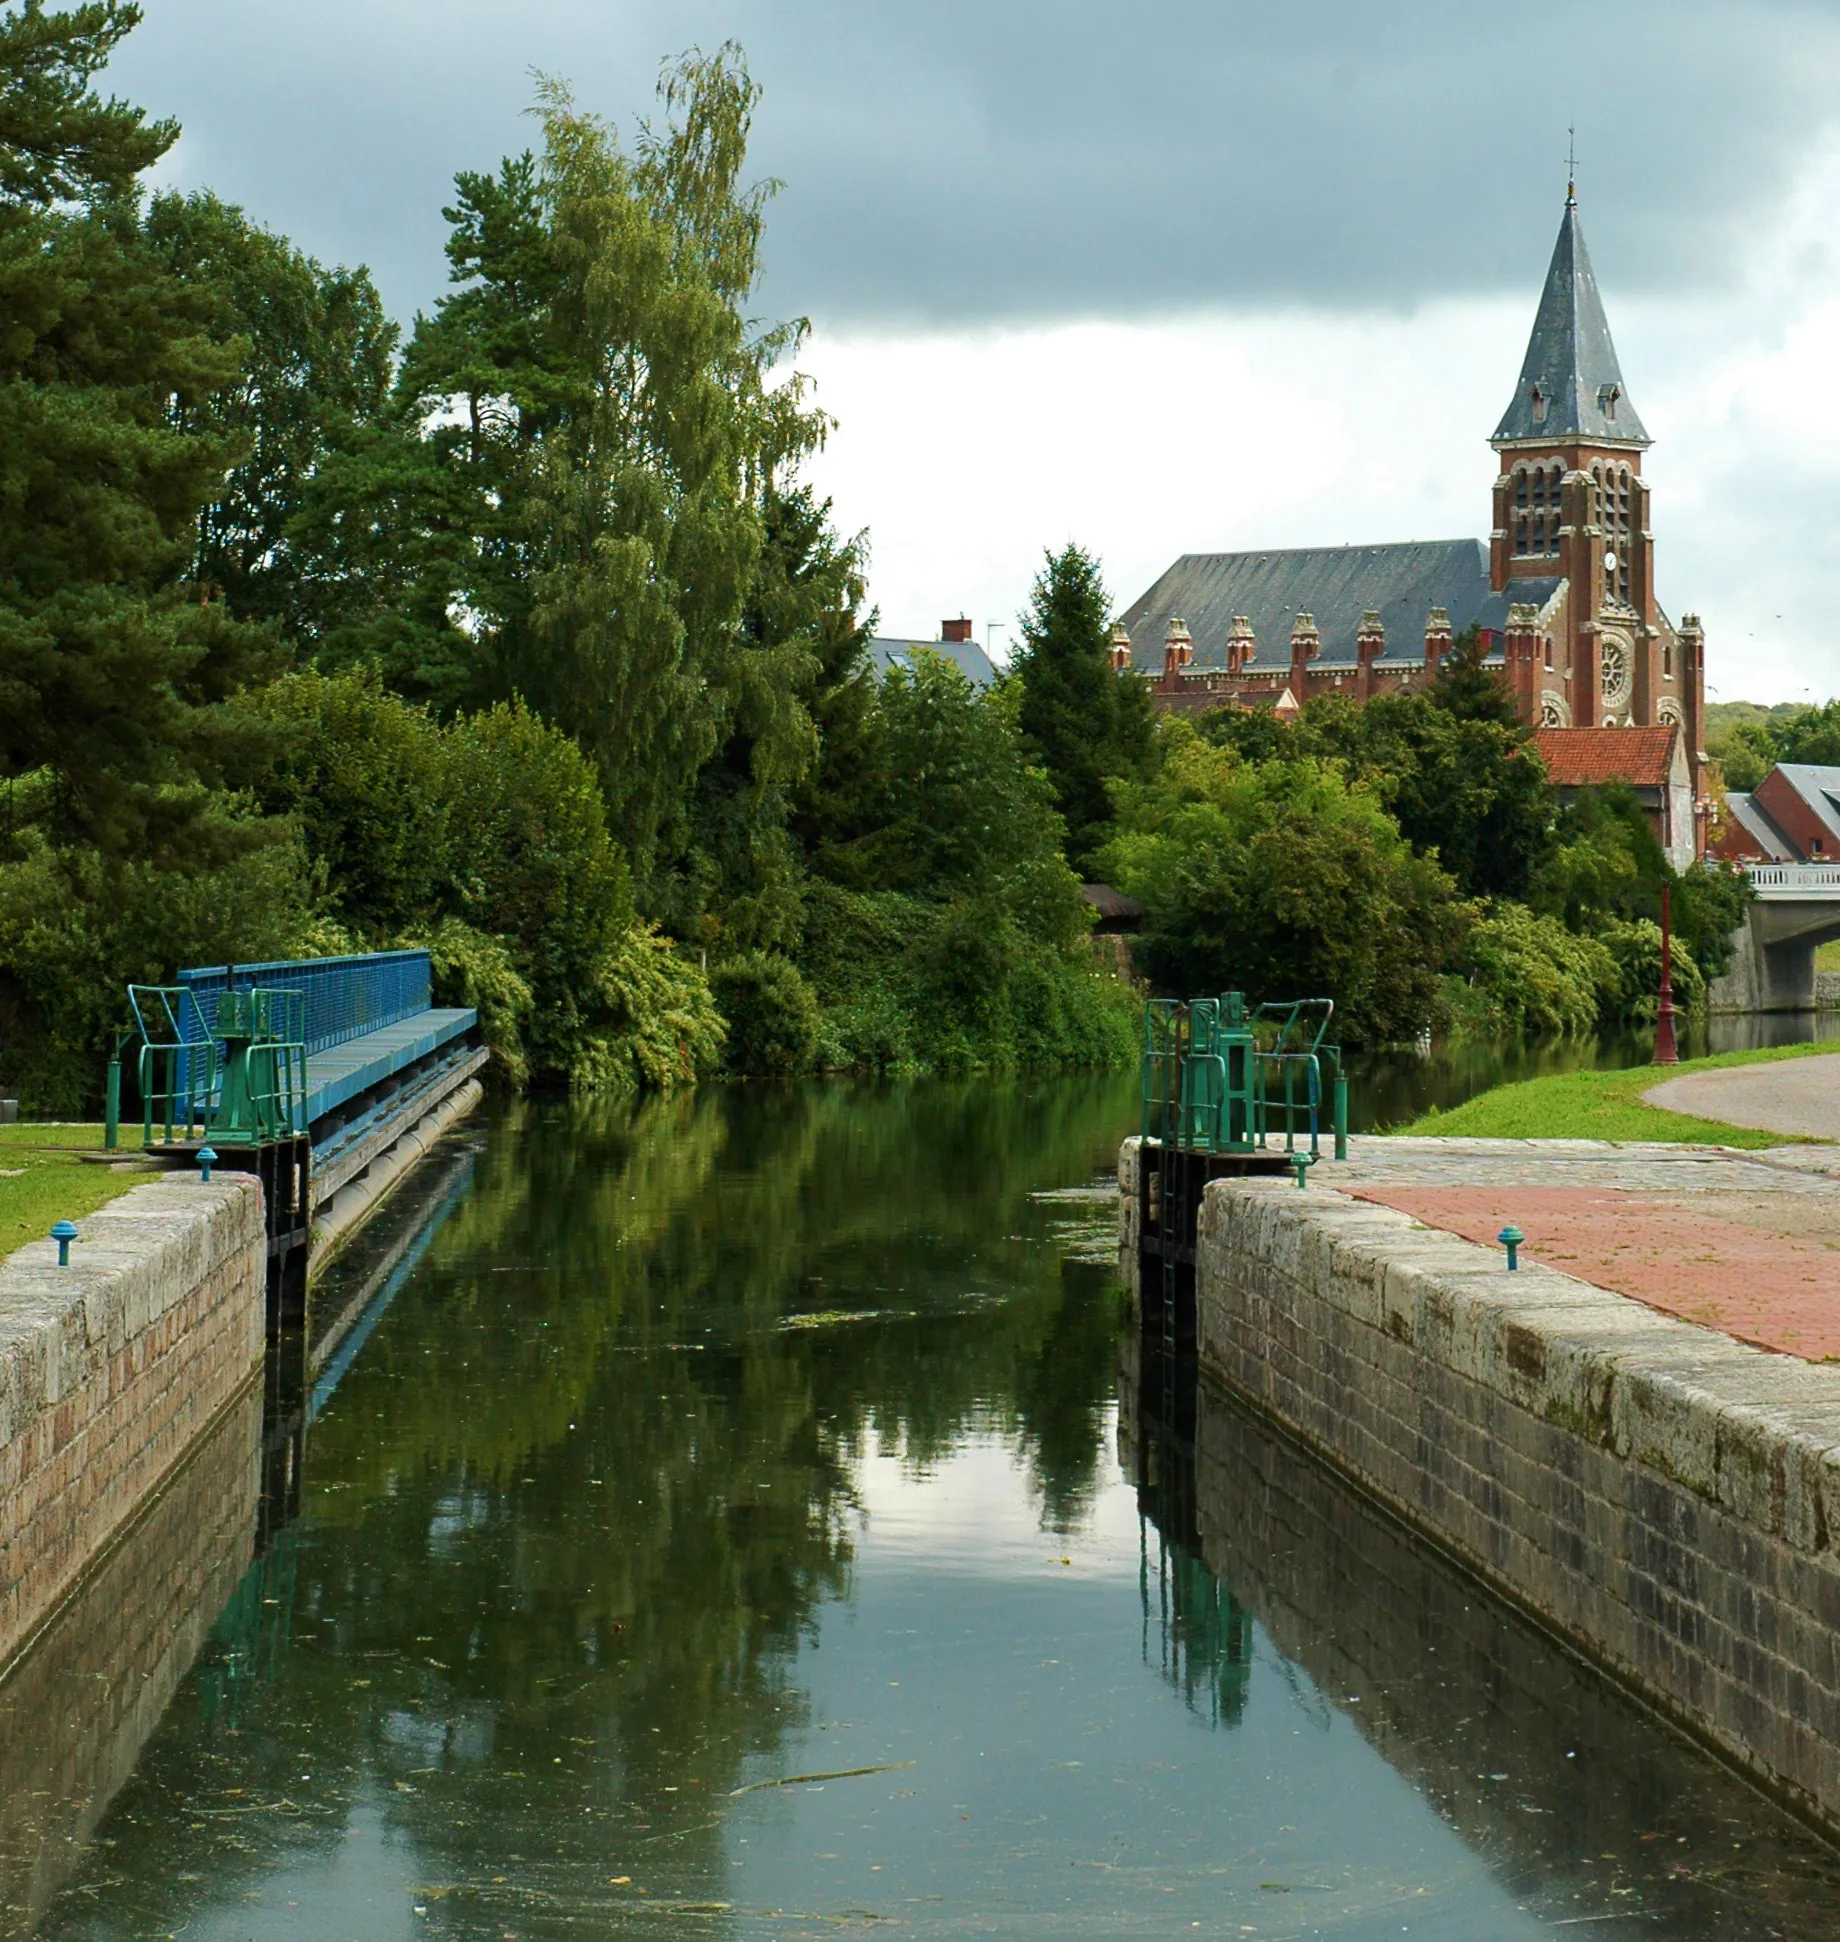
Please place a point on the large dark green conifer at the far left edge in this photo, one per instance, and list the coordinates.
(110, 665)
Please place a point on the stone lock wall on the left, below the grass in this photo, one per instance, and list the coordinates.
(112, 1370)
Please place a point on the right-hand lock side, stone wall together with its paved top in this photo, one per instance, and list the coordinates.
(1654, 1490)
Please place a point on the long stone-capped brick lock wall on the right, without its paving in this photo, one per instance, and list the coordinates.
(1668, 1500)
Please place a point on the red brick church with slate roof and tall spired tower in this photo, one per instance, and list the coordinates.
(1563, 591)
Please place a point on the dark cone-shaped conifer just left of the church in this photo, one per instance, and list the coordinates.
(1081, 721)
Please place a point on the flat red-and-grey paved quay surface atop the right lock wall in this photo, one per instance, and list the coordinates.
(1748, 1244)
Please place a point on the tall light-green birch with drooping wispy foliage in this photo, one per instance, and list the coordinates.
(646, 506)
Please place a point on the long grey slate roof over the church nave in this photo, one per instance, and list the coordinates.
(1336, 586)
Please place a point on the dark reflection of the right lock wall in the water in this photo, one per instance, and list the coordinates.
(1550, 1774)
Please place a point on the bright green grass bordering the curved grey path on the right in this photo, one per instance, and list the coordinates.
(1606, 1106)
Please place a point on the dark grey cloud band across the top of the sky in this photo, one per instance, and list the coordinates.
(1017, 160)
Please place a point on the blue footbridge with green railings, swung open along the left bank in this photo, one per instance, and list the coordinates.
(329, 1077)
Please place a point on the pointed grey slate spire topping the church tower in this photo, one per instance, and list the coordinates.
(1571, 385)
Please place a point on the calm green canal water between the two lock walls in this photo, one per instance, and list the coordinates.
(745, 1518)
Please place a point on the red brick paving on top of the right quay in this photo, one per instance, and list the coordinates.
(1755, 1287)
